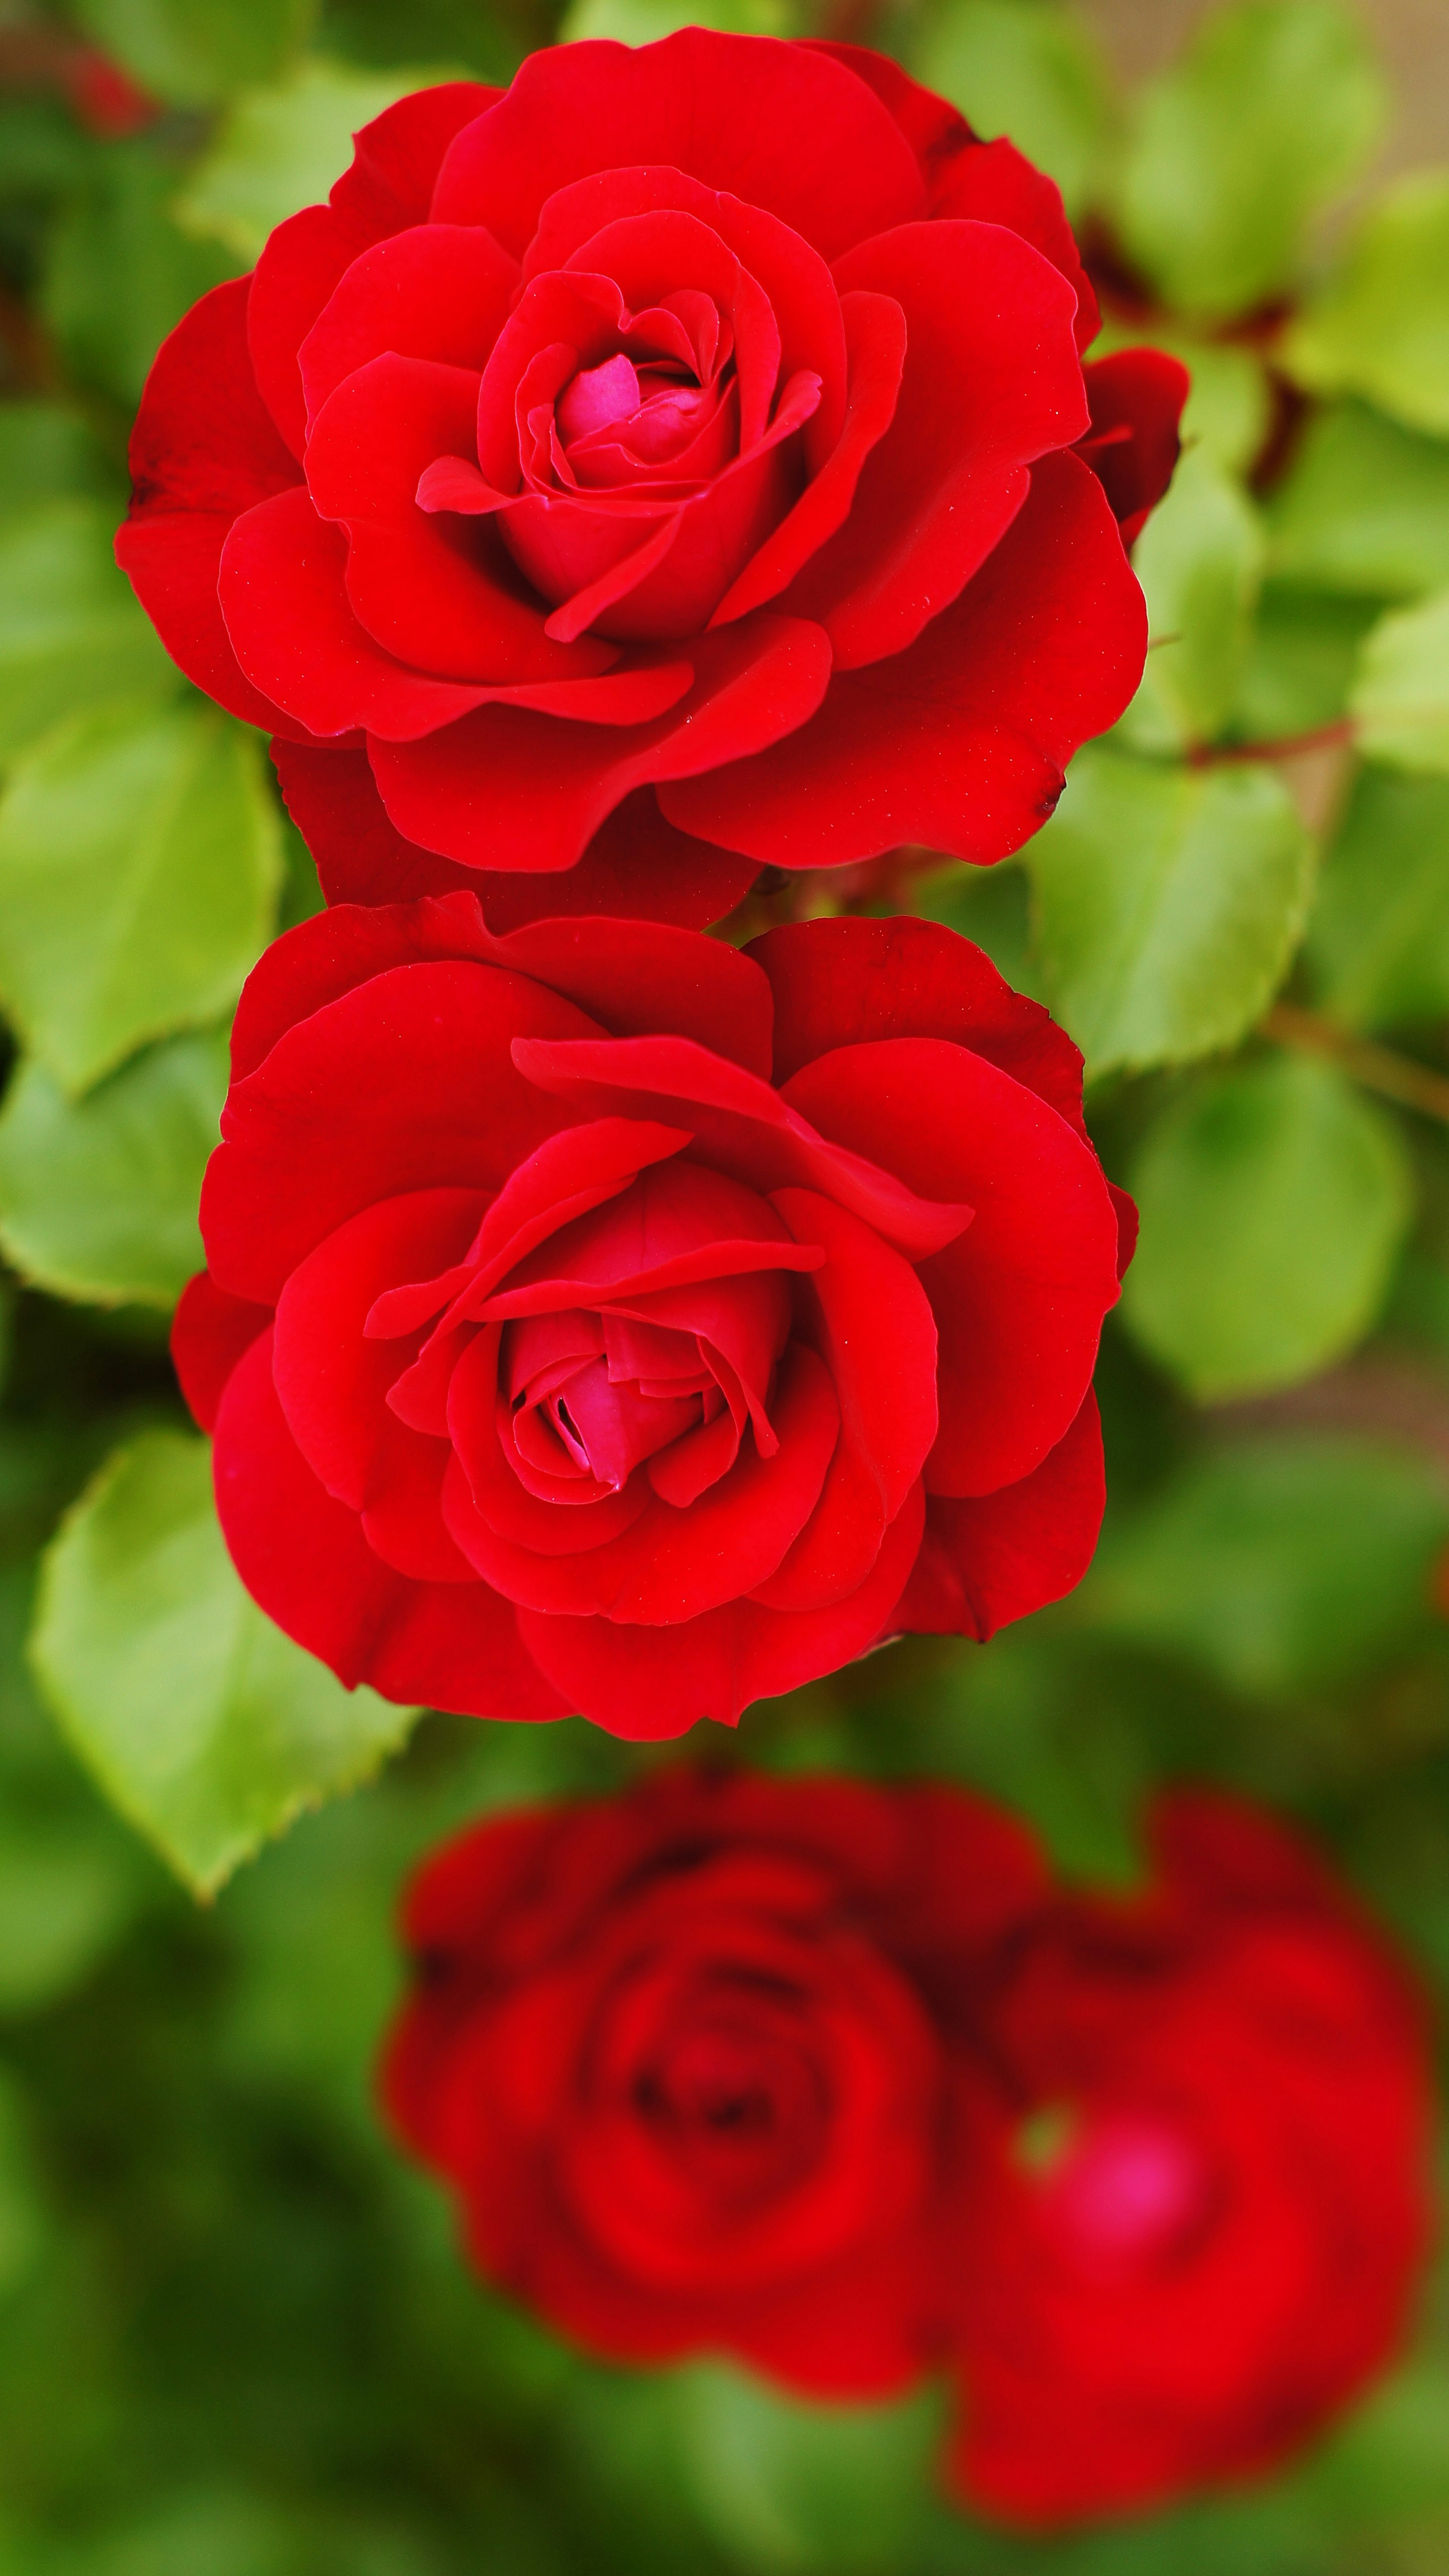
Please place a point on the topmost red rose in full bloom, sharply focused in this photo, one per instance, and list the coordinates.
(672, 465)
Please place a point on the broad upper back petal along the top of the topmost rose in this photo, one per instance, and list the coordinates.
(705, 104)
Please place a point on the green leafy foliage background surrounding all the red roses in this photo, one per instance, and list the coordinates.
(233, 2330)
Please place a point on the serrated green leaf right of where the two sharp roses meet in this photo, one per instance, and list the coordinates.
(1169, 905)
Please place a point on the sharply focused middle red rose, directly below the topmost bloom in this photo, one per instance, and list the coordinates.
(610, 1320)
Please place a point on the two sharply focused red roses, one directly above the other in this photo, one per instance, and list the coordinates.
(672, 465)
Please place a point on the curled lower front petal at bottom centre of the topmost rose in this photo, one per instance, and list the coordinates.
(473, 790)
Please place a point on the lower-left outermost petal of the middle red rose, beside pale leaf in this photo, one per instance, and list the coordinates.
(303, 1557)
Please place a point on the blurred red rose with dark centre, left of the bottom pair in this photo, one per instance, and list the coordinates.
(674, 2057)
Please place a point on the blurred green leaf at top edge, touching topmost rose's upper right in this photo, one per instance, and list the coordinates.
(1030, 71)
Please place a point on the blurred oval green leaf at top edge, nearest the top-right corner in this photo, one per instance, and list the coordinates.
(1257, 128)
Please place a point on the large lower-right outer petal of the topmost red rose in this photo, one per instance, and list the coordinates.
(963, 741)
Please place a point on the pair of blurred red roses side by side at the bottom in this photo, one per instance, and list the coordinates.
(834, 2080)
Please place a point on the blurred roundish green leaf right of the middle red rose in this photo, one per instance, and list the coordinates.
(1272, 1207)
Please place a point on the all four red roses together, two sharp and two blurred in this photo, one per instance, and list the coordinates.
(674, 468)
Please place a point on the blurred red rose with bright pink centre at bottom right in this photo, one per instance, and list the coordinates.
(1213, 2219)
